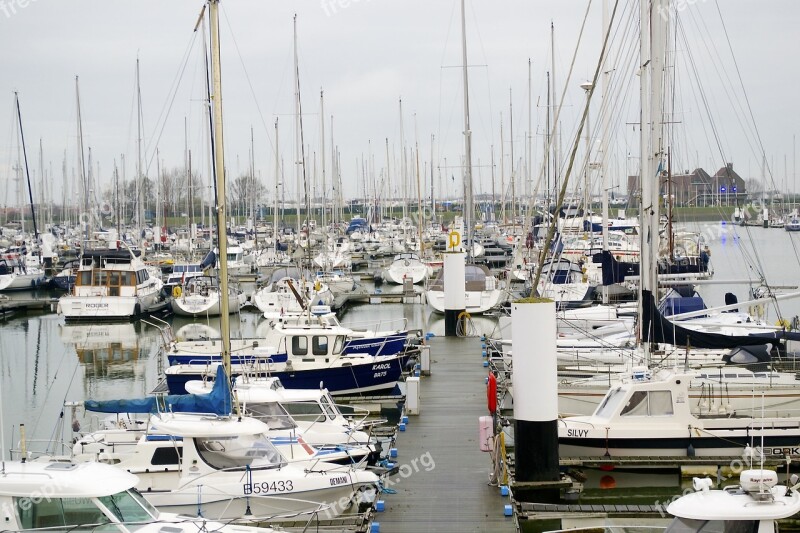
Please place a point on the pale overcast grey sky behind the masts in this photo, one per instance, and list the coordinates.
(735, 84)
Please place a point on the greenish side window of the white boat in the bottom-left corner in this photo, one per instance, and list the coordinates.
(60, 513)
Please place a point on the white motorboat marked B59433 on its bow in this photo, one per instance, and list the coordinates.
(223, 468)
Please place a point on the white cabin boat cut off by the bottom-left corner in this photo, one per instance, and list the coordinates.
(42, 496)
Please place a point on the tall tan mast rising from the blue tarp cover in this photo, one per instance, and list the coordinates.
(219, 165)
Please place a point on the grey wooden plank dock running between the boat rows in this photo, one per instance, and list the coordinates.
(442, 479)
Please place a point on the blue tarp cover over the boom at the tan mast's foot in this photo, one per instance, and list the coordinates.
(218, 401)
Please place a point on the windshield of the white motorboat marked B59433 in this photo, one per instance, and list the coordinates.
(238, 453)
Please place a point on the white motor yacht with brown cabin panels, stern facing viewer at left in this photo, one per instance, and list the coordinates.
(112, 284)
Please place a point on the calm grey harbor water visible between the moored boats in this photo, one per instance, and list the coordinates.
(44, 362)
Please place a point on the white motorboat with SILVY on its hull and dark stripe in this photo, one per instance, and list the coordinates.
(653, 417)
